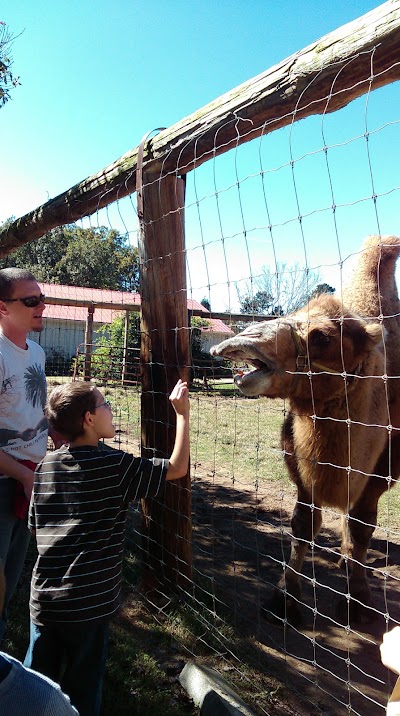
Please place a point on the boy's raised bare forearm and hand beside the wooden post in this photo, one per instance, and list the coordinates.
(179, 460)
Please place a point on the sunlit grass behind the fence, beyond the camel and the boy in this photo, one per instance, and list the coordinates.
(233, 436)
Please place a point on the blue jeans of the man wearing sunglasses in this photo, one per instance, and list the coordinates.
(14, 541)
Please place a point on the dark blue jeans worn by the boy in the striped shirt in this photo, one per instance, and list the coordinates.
(74, 656)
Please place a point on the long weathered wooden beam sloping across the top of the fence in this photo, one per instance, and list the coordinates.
(324, 77)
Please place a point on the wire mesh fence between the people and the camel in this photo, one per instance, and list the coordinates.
(267, 223)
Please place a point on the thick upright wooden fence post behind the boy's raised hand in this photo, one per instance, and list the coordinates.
(165, 354)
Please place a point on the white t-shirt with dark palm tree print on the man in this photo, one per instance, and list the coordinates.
(23, 424)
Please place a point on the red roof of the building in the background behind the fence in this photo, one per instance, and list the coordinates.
(108, 315)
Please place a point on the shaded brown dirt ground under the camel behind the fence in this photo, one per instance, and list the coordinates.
(238, 542)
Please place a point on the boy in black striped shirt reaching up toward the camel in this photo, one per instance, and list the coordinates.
(80, 498)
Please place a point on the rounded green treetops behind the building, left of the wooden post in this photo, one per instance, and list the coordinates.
(70, 255)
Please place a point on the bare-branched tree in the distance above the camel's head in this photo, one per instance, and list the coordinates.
(279, 292)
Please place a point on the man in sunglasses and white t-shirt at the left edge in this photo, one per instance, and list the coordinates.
(23, 423)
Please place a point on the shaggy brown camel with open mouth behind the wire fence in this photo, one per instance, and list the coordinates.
(337, 362)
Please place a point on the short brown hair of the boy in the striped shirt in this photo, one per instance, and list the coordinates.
(67, 406)
